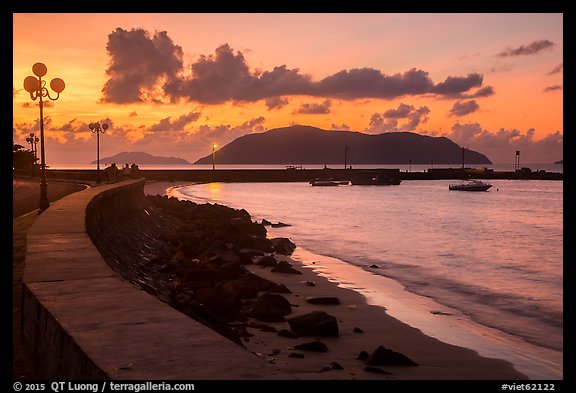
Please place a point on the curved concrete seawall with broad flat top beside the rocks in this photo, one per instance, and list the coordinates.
(80, 320)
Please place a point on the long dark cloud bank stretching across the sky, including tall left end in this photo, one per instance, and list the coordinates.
(147, 67)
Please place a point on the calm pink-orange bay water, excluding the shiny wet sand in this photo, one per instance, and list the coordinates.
(495, 256)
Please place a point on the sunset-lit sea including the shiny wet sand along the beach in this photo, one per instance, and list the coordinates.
(481, 270)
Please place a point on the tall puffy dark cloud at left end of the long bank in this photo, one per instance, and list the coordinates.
(137, 61)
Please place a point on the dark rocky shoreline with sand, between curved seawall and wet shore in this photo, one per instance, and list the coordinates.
(214, 264)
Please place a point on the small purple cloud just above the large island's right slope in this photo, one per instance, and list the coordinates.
(388, 121)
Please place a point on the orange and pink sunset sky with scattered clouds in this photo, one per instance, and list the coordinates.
(175, 84)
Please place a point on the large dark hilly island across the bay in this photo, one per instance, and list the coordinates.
(300, 145)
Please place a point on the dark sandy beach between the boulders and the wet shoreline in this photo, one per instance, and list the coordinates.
(362, 327)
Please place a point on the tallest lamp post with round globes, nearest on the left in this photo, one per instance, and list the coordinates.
(36, 86)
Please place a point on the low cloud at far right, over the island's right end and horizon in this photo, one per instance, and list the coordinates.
(501, 145)
